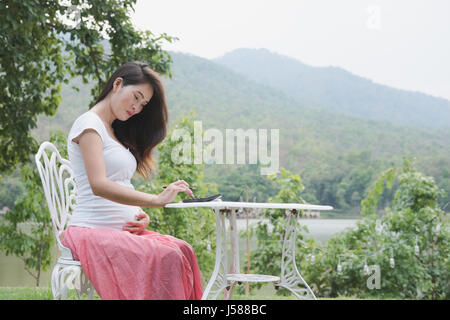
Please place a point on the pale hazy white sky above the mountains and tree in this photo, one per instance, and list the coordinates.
(401, 43)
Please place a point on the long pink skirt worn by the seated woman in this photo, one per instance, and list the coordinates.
(125, 266)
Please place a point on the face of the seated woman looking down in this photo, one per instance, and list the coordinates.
(126, 101)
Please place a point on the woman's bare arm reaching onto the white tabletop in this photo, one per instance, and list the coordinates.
(91, 149)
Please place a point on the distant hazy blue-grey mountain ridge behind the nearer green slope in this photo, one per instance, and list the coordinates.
(337, 90)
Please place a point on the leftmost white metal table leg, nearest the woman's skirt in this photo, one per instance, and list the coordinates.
(217, 283)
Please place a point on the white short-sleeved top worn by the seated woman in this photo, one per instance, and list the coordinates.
(91, 210)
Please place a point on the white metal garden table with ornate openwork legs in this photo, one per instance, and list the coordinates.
(223, 275)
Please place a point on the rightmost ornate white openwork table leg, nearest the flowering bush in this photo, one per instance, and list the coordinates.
(290, 276)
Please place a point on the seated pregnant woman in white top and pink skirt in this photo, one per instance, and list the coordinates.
(107, 232)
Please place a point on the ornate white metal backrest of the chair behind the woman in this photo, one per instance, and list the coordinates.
(59, 186)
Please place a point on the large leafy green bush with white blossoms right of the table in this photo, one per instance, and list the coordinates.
(409, 244)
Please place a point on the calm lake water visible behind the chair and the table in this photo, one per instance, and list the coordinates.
(13, 273)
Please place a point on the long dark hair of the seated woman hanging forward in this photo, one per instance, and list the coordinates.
(145, 130)
